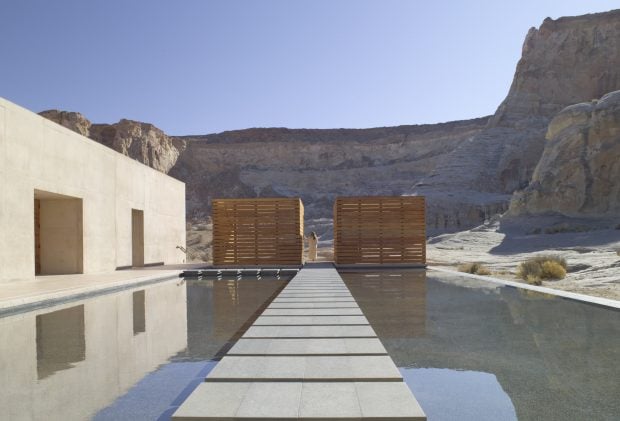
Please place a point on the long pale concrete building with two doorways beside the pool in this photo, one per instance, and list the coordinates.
(70, 205)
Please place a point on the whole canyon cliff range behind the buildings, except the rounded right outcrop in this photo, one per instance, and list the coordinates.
(467, 169)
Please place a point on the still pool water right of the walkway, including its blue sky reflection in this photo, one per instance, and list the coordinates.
(471, 350)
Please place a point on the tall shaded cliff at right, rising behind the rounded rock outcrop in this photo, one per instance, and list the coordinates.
(565, 61)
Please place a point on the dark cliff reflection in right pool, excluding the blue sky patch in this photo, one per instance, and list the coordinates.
(556, 359)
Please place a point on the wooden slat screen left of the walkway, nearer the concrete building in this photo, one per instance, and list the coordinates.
(257, 232)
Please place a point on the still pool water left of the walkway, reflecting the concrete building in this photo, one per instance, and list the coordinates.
(132, 355)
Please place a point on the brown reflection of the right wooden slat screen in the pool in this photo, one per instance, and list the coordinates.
(387, 296)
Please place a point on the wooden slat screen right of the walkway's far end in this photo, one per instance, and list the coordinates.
(380, 230)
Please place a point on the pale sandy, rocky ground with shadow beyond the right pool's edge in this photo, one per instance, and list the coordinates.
(592, 256)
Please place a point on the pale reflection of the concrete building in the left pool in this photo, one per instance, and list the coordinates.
(69, 361)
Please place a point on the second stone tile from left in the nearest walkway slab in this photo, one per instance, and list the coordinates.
(271, 400)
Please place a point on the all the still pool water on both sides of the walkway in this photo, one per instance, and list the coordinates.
(469, 350)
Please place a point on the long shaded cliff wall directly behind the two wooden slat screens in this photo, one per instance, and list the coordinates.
(318, 165)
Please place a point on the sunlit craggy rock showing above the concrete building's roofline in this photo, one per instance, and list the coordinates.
(140, 141)
